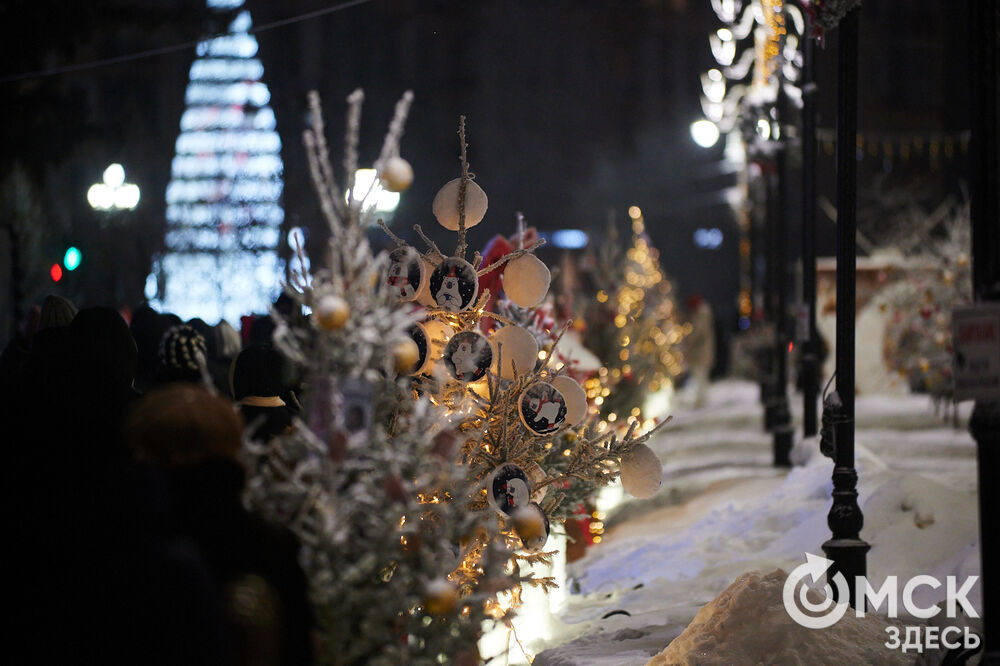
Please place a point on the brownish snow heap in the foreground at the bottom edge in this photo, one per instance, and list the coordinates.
(747, 624)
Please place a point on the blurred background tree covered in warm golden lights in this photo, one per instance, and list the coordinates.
(631, 325)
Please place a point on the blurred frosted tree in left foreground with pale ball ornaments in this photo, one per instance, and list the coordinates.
(368, 478)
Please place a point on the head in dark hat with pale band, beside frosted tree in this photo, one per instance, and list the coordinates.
(256, 378)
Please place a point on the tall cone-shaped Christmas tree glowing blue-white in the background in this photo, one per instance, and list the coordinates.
(223, 200)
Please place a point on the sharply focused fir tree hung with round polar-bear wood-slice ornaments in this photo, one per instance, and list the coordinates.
(522, 418)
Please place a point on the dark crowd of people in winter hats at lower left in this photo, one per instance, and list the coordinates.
(124, 482)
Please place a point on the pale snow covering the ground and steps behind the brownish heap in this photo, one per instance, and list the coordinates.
(723, 510)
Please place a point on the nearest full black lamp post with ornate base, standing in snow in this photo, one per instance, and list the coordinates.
(846, 548)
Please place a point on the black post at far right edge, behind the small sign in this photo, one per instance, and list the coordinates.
(985, 207)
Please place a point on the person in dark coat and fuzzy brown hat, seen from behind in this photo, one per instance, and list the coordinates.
(195, 437)
